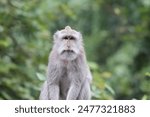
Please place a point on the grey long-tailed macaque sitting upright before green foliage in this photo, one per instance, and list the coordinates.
(68, 75)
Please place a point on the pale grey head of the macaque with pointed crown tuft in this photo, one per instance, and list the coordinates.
(68, 43)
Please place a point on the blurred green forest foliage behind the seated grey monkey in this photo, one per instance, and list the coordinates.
(116, 36)
